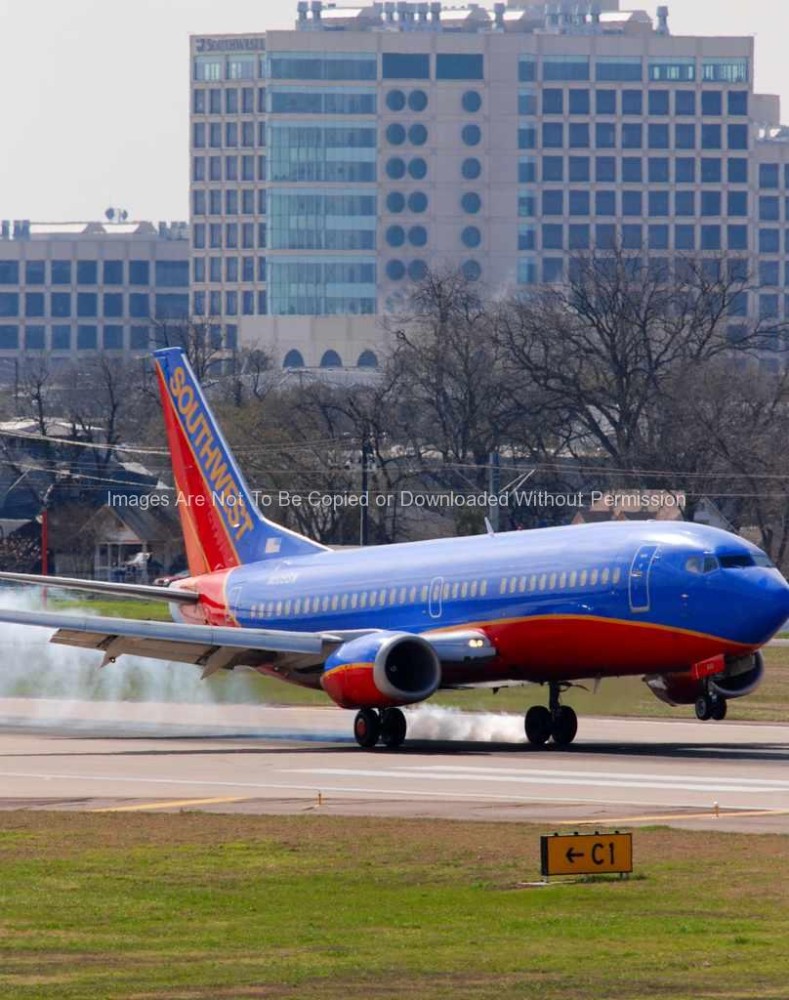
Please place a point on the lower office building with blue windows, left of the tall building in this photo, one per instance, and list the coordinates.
(71, 289)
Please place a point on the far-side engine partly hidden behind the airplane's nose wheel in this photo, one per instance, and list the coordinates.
(725, 676)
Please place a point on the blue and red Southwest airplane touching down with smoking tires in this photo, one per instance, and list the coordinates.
(379, 628)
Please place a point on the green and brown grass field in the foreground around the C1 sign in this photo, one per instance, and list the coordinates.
(197, 906)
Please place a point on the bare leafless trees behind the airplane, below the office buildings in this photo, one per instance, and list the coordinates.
(627, 376)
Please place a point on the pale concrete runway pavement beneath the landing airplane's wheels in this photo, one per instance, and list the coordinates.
(253, 759)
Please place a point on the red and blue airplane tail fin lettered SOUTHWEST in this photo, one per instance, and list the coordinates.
(221, 523)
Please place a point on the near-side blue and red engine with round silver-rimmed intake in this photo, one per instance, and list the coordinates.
(382, 670)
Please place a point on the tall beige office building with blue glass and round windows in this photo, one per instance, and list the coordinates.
(333, 164)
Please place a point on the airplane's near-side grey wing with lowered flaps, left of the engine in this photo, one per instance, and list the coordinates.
(209, 647)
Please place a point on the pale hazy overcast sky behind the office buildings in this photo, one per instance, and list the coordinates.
(94, 93)
